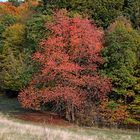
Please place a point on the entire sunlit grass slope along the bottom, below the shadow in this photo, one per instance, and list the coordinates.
(13, 130)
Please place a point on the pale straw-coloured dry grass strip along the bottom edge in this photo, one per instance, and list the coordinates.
(45, 133)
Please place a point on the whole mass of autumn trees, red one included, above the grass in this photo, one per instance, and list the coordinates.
(77, 58)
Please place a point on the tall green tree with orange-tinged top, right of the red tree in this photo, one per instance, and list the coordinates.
(120, 52)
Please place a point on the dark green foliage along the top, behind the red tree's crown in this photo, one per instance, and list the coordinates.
(101, 11)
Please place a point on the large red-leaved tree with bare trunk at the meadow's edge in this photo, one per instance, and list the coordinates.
(68, 74)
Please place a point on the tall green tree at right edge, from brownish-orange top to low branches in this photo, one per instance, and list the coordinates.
(121, 52)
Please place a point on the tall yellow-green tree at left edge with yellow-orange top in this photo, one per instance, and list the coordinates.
(15, 66)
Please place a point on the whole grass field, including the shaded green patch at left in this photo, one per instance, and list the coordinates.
(14, 129)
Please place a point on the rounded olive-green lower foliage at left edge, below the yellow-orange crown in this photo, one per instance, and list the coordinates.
(15, 70)
